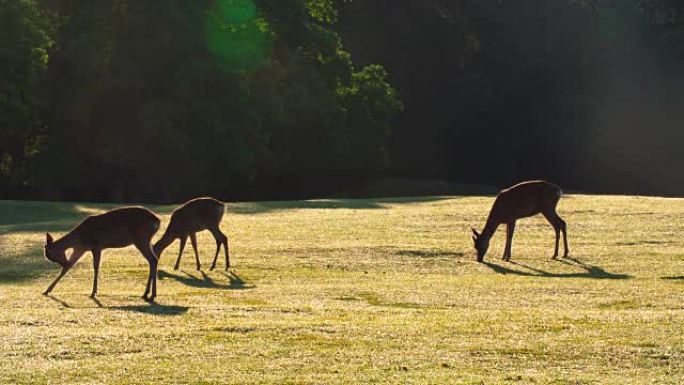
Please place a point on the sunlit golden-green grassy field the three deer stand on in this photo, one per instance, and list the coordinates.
(357, 291)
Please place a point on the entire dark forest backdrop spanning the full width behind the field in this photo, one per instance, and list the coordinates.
(152, 100)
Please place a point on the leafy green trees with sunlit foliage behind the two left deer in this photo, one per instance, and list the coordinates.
(159, 100)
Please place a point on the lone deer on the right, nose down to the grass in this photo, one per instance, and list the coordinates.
(522, 200)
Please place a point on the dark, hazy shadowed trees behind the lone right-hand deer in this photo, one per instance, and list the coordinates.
(586, 93)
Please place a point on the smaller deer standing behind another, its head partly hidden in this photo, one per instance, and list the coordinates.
(194, 216)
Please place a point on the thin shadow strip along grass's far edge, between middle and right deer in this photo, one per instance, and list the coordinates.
(353, 204)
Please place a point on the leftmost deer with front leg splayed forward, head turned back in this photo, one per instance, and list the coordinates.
(114, 229)
